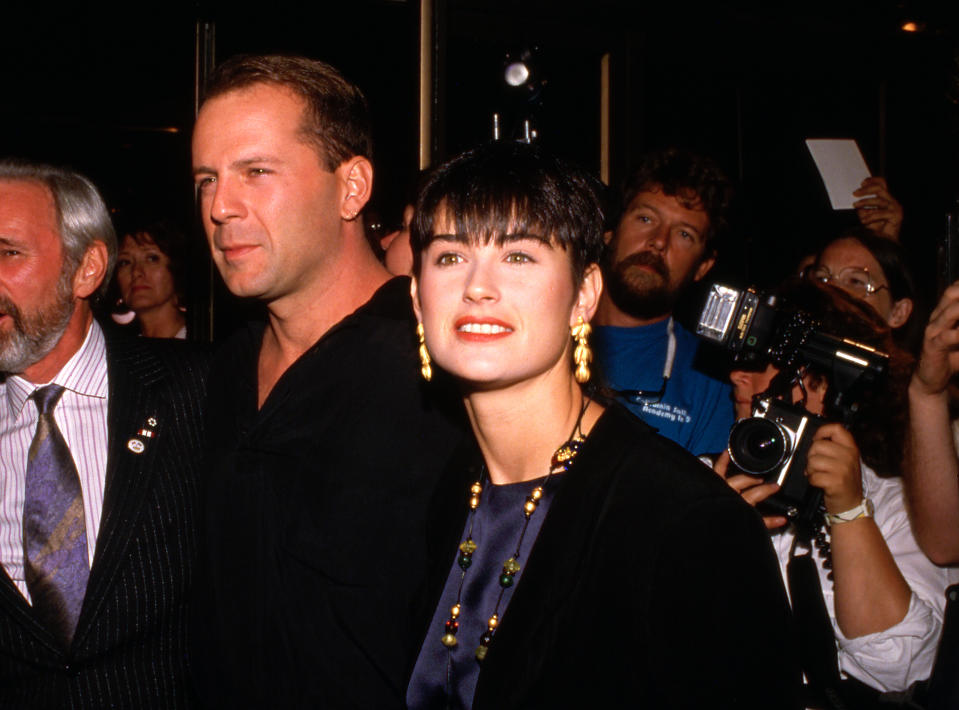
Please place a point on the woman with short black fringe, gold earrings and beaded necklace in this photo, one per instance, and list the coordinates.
(574, 552)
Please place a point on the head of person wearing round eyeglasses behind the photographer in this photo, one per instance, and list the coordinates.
(873, 270)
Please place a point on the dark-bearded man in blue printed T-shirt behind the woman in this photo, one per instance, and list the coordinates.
(674, 206)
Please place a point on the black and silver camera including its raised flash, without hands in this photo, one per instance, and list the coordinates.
(773, 443)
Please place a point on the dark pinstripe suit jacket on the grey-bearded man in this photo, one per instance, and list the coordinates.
(130, 645)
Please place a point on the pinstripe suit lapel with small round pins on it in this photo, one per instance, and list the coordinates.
(131, 465)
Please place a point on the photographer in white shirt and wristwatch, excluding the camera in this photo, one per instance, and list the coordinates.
(883, 597)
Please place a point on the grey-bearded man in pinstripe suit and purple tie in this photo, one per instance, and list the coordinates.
(99, 449)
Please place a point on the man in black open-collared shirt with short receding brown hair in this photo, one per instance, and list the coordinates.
(324, 443)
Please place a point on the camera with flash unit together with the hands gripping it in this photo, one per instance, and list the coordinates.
(773, 445)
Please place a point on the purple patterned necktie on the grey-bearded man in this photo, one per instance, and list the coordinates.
(55, 560)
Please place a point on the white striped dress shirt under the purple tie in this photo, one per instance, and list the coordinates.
(81, 416)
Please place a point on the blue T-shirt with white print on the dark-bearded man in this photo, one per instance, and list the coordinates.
(696, 410)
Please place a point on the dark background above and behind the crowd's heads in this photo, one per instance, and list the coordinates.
(112, 93)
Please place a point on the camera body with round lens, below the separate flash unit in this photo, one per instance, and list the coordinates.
(773, 443)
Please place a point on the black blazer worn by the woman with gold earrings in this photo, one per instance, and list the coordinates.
(651, 585)
